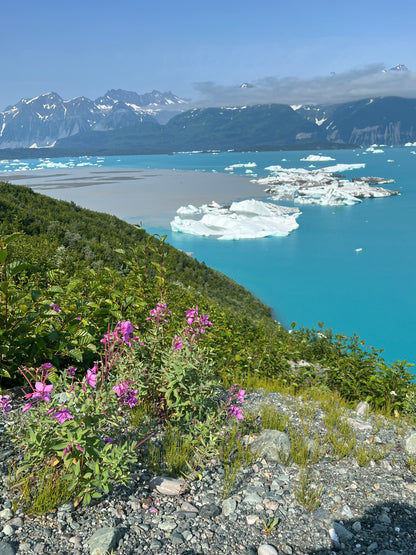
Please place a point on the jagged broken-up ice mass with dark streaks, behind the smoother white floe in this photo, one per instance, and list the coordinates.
(324, 186)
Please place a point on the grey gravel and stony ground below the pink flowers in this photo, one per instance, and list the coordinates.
(369, 509)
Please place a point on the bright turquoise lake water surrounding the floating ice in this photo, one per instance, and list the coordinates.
(315, 274)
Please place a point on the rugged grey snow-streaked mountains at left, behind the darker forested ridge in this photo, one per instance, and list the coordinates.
(43, 120)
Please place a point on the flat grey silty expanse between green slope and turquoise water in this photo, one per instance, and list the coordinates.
(137, 195)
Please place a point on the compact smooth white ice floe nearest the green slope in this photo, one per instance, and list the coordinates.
(247, 219)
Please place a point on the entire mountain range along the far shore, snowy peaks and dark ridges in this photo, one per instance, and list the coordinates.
(127, 122)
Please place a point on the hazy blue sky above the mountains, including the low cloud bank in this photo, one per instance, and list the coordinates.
(301, 51)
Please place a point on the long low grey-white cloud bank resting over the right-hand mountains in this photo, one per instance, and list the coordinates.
(355, 84)
